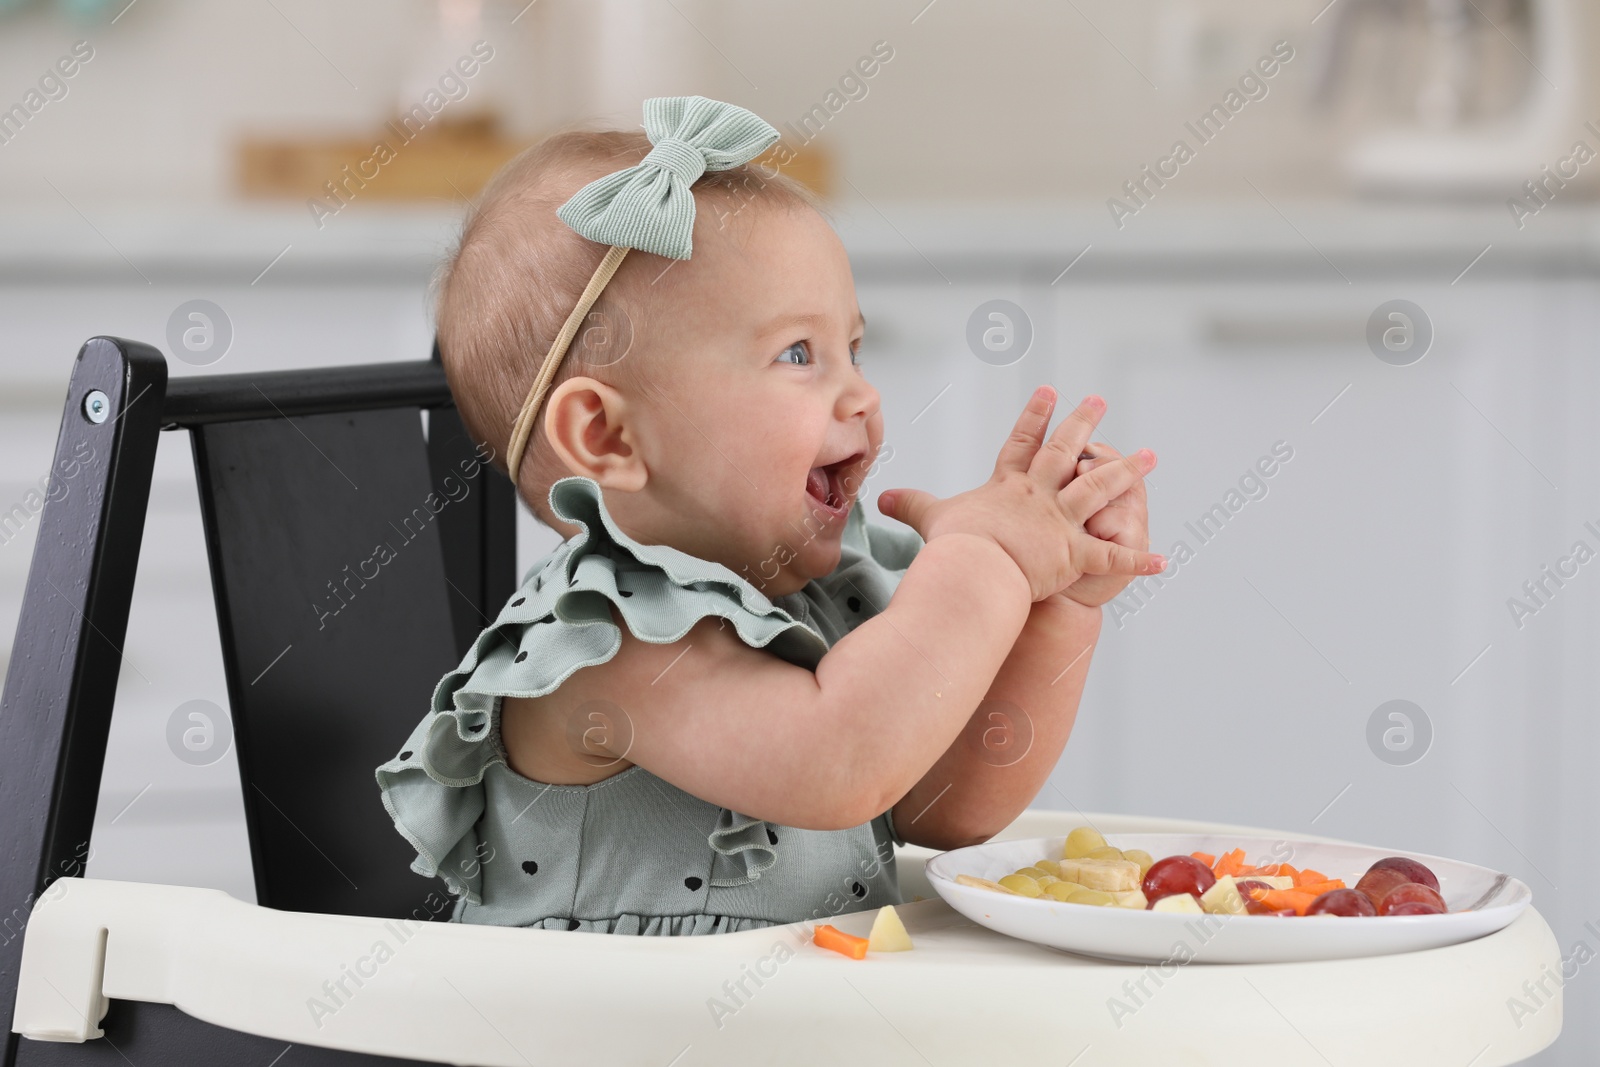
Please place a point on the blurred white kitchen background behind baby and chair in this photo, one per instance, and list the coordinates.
(1238, 306)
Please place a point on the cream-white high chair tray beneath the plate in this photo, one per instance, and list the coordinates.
(964, 996)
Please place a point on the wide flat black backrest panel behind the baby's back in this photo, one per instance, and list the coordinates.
(337, 625)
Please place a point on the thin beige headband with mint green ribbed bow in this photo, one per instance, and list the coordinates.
(649, 207)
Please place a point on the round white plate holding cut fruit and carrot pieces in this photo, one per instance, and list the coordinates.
(1481, 901)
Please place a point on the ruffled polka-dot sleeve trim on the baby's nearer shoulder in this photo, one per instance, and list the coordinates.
(558, 623)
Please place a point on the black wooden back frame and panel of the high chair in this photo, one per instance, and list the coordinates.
(353, 557)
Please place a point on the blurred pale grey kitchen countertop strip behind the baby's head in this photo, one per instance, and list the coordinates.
(281, 244)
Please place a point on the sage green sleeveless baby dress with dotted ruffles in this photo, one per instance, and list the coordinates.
(631, 853)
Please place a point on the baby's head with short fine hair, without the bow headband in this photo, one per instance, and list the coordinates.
(716, 399)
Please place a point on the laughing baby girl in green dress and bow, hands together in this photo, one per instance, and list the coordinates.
(726, 698)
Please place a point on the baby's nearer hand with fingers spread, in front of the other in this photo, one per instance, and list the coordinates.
(1034, 506)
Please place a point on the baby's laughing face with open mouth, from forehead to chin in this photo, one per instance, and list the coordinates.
(758, 426)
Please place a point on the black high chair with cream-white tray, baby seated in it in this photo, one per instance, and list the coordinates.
(343, 959)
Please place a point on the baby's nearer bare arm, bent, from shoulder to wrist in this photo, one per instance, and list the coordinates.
(826, 751)
